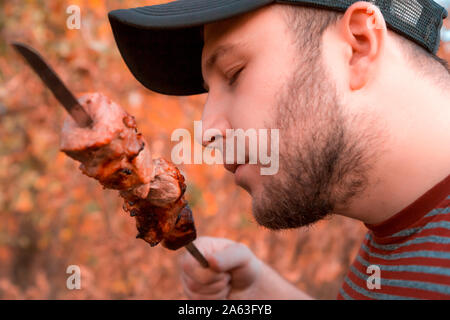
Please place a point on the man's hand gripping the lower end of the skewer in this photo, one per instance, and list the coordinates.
(233, 274)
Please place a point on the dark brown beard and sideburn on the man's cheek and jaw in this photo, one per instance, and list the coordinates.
(322, 163)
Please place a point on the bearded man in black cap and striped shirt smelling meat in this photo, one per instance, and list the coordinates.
(362, 103)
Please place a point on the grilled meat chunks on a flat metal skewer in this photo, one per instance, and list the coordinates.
(105, 139)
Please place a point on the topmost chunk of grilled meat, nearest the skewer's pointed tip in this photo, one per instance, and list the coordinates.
(111, 151)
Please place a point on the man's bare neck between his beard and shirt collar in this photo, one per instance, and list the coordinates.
(416, 153)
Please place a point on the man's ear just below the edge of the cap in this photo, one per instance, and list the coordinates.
(364, 29)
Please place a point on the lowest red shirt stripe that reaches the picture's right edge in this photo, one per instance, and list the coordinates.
(399, 291)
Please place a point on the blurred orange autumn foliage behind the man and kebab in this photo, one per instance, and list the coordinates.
(52, 216)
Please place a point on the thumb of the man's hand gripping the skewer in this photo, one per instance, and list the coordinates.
(233, 256)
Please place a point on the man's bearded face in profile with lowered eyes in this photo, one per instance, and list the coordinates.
(257, 78)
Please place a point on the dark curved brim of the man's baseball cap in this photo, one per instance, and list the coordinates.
(162, 44)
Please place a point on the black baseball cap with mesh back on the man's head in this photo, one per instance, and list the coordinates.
(162, 44)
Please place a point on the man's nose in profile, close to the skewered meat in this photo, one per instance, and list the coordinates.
(214, 123)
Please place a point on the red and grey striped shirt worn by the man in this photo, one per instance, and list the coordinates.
(407, 256)
